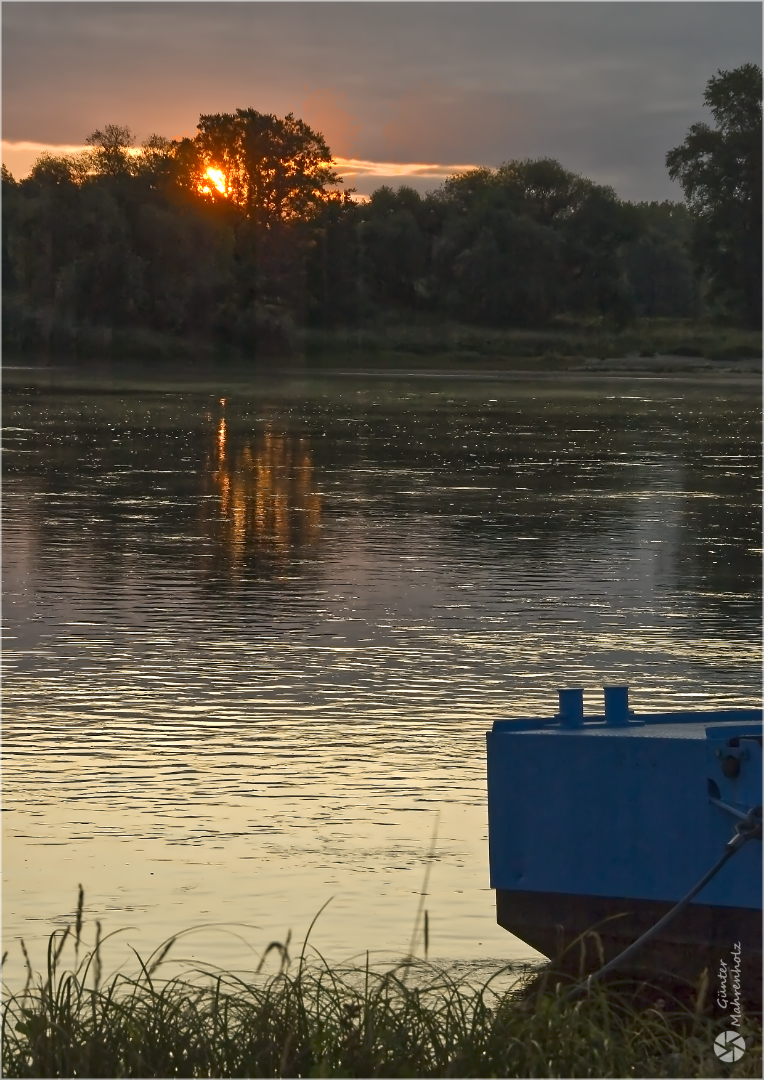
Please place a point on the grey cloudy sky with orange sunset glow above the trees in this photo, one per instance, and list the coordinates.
(405, 92)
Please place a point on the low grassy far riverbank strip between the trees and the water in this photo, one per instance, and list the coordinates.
(649, 346)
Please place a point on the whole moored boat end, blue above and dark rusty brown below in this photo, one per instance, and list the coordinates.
(598, 827)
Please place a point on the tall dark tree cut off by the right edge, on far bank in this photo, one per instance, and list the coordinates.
(720, 170)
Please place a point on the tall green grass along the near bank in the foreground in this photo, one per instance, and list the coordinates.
(313, 1020)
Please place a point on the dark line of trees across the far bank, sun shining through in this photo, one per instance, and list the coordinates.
(246, 231)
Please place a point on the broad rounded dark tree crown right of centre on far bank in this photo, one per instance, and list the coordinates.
(529, 240)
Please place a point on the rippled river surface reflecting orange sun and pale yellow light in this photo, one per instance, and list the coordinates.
(256, 638)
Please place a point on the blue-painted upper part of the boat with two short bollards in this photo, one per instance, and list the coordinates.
(623, 805)
